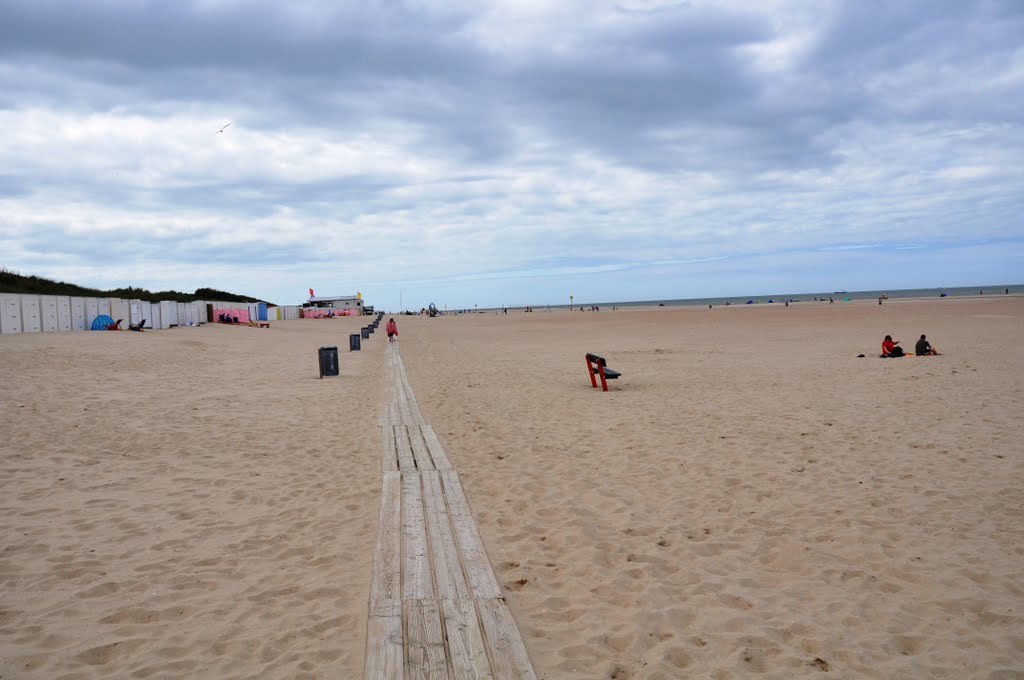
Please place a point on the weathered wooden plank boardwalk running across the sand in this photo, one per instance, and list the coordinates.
(436, 608)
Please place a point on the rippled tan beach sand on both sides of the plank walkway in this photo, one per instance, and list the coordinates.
(750, 500)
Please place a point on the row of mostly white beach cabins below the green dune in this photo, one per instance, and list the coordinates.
(54, 314)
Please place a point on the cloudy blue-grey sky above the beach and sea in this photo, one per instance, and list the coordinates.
(513, 153)
